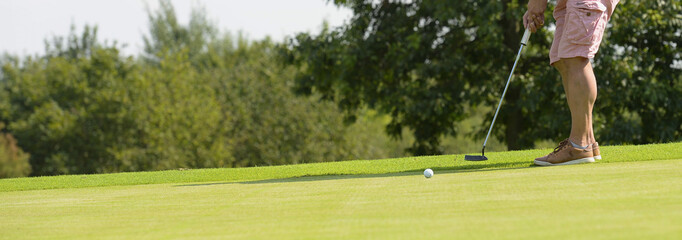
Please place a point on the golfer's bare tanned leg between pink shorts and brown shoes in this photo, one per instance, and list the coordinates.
(580, 86)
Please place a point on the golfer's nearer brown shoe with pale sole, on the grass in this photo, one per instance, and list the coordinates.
(566, 154)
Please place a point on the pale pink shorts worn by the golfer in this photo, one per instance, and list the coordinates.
(580, 27)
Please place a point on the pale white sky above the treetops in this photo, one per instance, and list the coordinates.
(25, 24)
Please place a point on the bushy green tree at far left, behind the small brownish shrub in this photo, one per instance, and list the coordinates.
(68, 107)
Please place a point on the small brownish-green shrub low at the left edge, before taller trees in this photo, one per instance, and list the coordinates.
(13, 161)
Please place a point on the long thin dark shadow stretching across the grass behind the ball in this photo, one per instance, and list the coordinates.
(413, 172)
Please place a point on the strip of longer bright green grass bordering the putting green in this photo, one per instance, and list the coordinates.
(498, 160)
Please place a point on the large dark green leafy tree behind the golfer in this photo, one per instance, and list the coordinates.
(422, 62)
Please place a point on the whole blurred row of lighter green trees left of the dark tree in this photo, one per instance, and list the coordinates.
(194, 100)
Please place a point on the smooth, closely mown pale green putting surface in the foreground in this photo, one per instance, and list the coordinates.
(621, 200)
